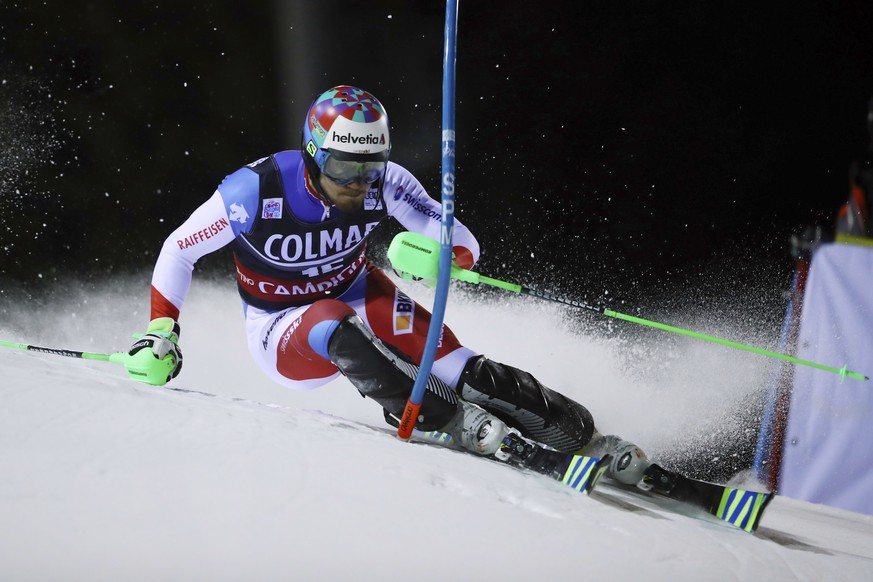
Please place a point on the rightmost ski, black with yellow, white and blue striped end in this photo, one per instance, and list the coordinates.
(739, 507)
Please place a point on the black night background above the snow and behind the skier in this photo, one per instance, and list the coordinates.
(639, 149)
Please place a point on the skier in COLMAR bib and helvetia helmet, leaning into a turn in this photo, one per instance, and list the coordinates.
(315, 307)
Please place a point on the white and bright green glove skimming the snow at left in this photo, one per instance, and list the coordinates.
(156, 357)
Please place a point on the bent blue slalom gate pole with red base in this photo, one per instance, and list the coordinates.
(443, 278)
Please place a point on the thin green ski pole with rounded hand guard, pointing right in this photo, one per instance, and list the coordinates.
(415, 255)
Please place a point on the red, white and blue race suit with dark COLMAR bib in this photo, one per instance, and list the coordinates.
(291, 250)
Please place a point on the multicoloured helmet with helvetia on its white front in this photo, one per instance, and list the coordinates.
(347, 124)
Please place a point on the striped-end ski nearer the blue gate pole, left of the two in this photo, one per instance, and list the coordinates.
(578, 472)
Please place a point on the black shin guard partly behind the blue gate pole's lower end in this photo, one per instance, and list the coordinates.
(387, 377)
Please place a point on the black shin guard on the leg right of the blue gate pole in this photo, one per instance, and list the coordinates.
(520, 400)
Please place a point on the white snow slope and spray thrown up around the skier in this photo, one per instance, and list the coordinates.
(103, 478)
